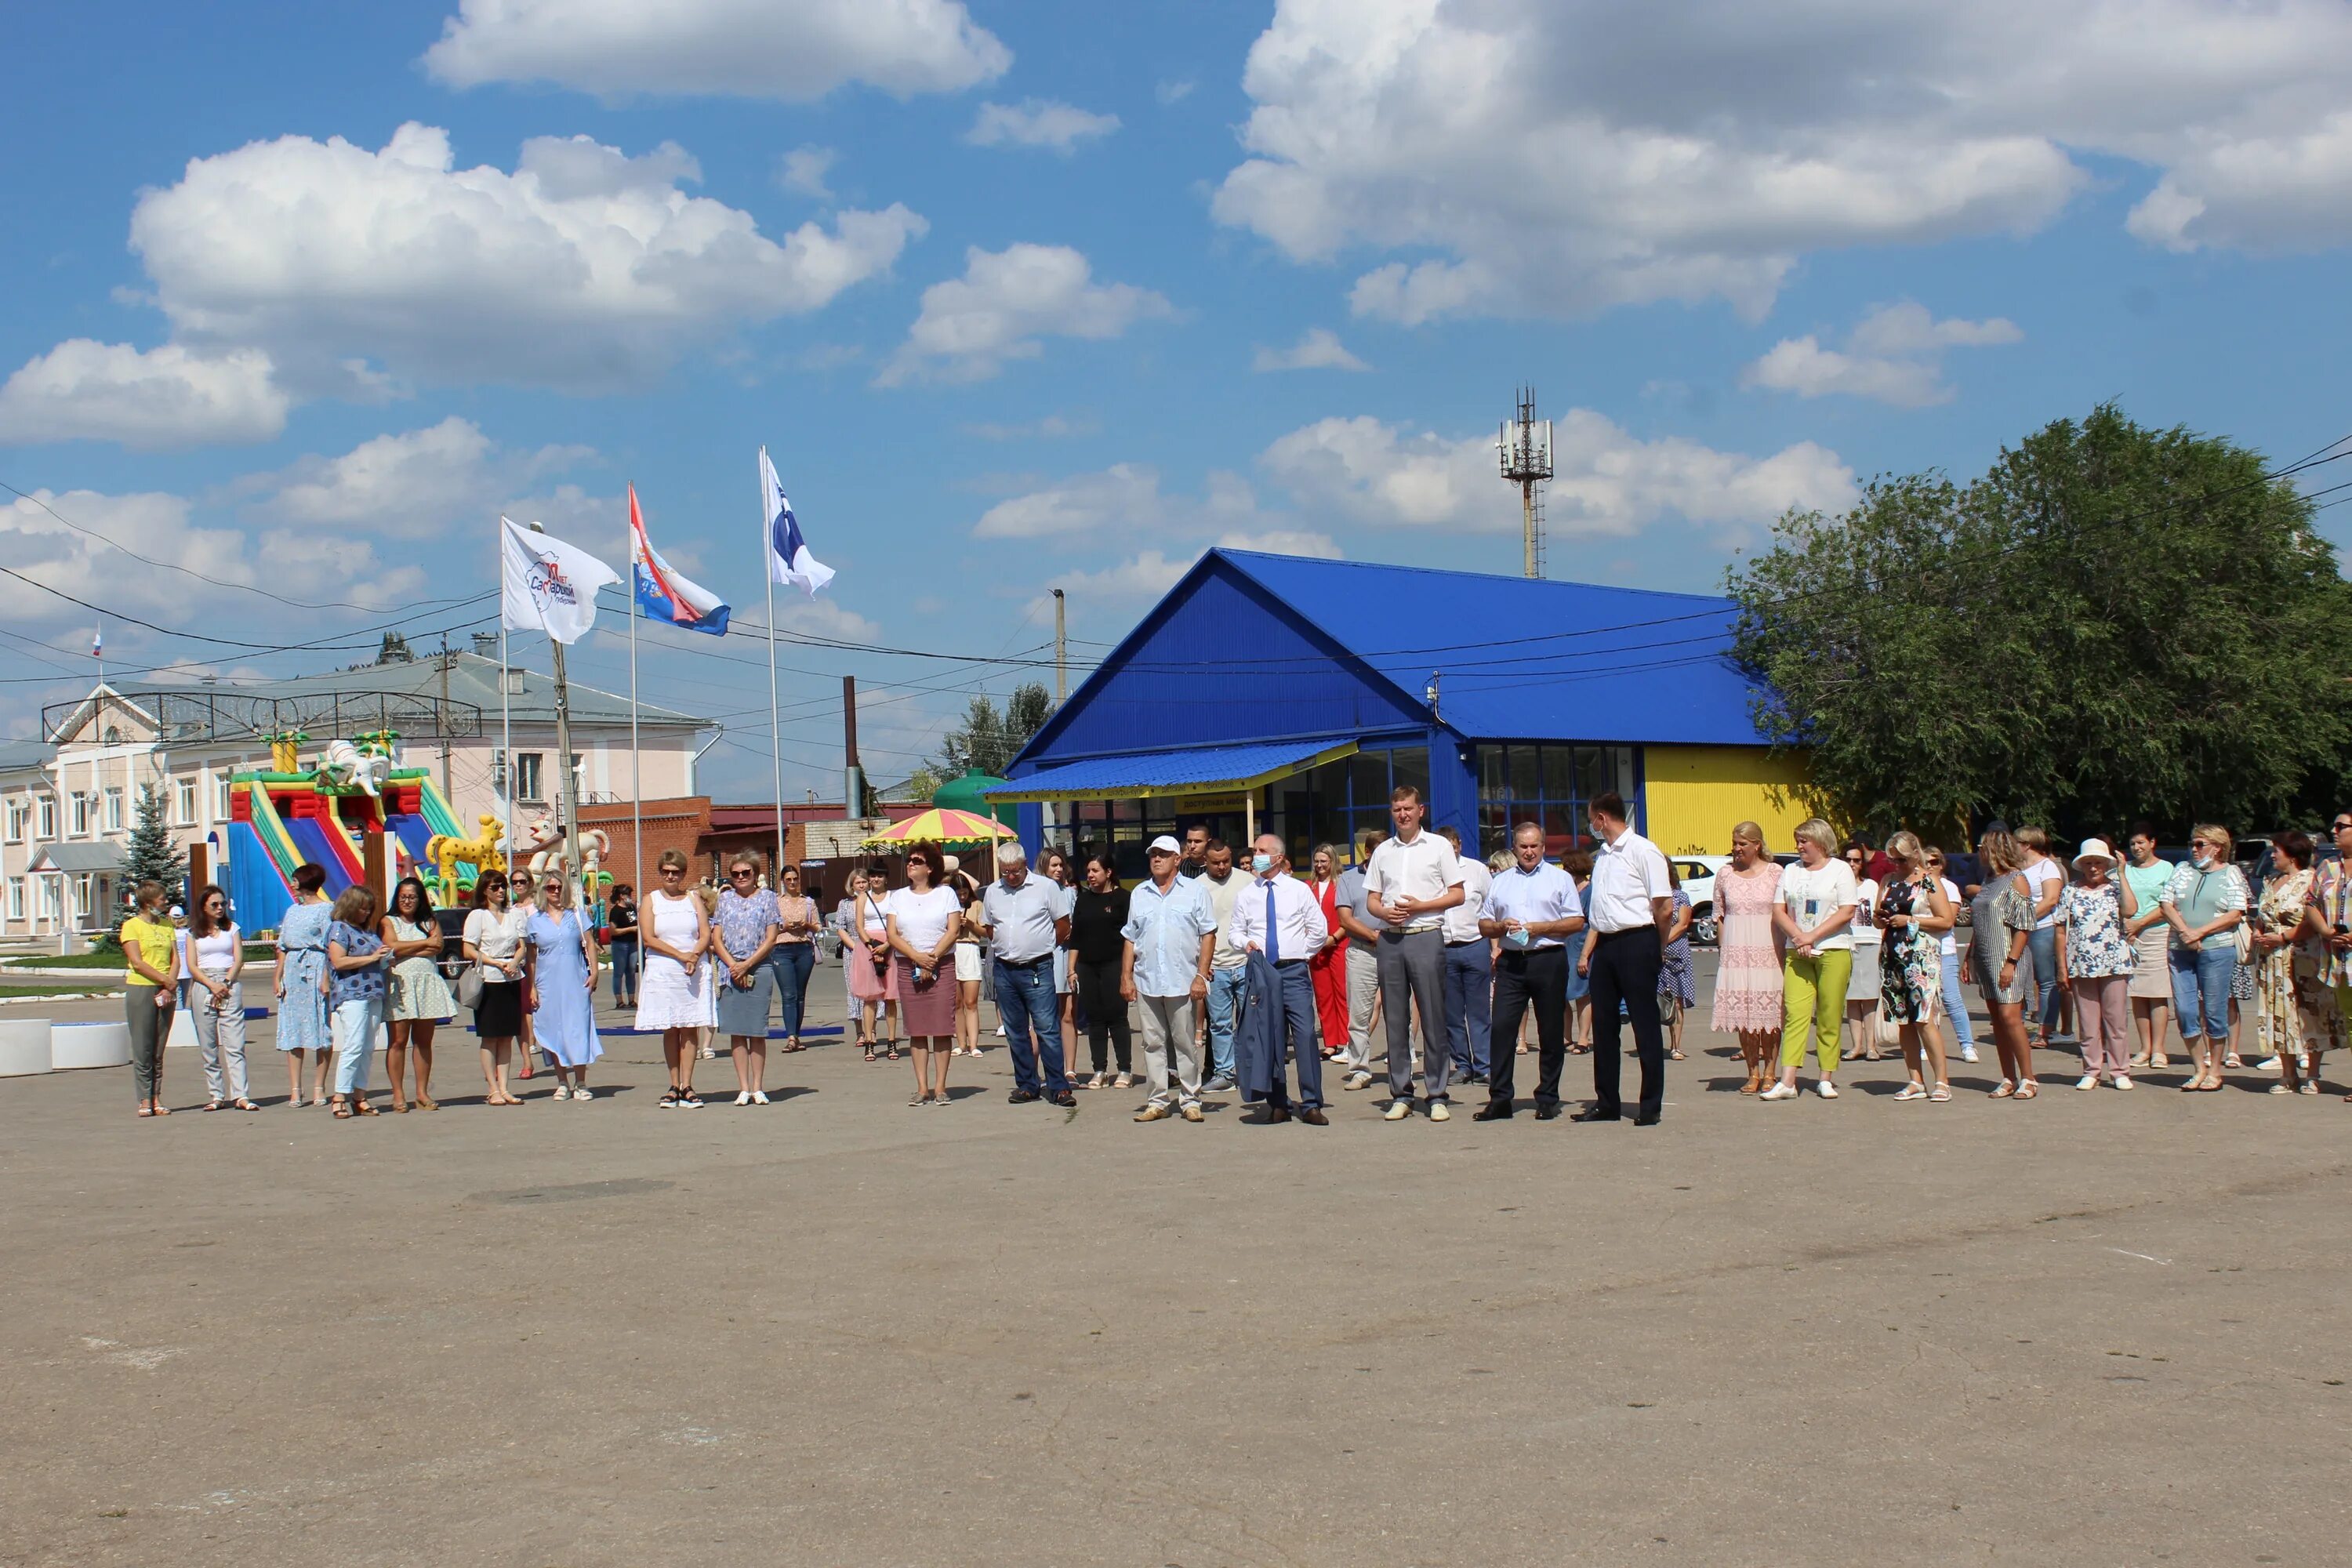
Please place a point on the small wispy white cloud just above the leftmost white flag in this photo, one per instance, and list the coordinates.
(410, 483)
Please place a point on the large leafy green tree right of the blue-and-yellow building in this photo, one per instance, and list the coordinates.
(2111, 624)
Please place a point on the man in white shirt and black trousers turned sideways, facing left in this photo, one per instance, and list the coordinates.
(1629, 911)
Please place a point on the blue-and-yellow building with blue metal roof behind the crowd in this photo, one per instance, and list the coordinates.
(1292, 695)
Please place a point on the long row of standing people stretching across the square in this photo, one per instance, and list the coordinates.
(1405, 956)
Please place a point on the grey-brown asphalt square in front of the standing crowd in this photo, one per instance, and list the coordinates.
(2094, 1329)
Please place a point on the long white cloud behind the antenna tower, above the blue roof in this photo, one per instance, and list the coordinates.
(1608, 481)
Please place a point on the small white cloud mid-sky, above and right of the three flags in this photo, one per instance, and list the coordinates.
(1005, 304)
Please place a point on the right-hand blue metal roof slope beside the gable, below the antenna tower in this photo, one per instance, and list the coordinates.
(1530, 659)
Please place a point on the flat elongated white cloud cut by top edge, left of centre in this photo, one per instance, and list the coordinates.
(747, 48)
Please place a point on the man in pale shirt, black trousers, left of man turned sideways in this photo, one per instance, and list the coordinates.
(1532, 911)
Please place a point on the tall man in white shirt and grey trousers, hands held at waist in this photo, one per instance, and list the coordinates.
(1412, 880)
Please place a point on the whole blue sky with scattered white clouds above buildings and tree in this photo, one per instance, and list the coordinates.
(1060, 295)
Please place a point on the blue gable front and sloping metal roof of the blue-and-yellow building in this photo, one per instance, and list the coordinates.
(1276, 648)
